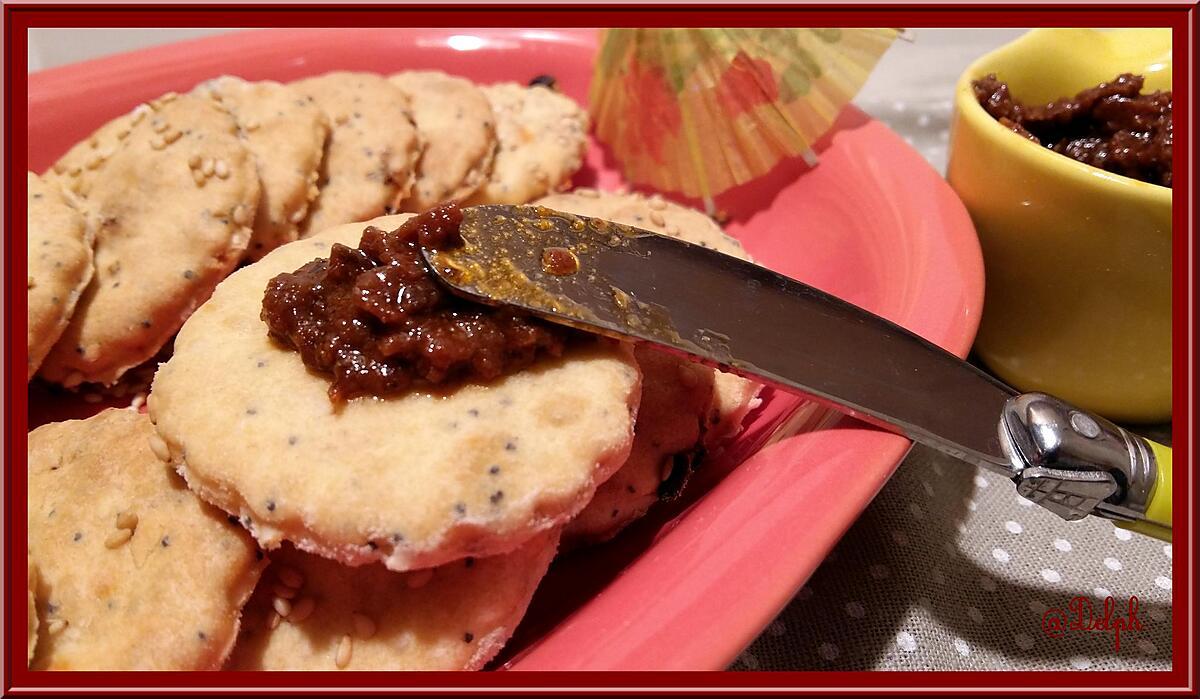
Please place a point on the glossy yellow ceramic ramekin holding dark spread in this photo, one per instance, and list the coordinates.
(1078, 260)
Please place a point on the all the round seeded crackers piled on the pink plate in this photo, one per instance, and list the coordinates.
(242, 521)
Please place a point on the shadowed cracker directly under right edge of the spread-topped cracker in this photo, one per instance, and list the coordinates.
(676, 395)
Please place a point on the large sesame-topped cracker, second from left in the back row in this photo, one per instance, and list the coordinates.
(165, 237)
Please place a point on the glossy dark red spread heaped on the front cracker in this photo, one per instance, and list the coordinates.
(377, 321)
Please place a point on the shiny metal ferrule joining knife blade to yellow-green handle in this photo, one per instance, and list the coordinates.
(1077, 464)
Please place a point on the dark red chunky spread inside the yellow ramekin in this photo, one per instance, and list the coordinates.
(1112, 127)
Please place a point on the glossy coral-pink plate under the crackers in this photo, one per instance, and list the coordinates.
(689, 587)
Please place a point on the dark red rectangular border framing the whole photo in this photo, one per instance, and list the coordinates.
(1180, 17)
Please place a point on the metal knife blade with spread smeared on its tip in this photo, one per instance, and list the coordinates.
(731, 314)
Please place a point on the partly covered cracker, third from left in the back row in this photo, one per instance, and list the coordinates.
(286, 133)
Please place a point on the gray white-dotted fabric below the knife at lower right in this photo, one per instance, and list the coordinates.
(950, 570)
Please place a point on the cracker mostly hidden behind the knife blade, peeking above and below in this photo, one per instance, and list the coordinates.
(734, 397)
